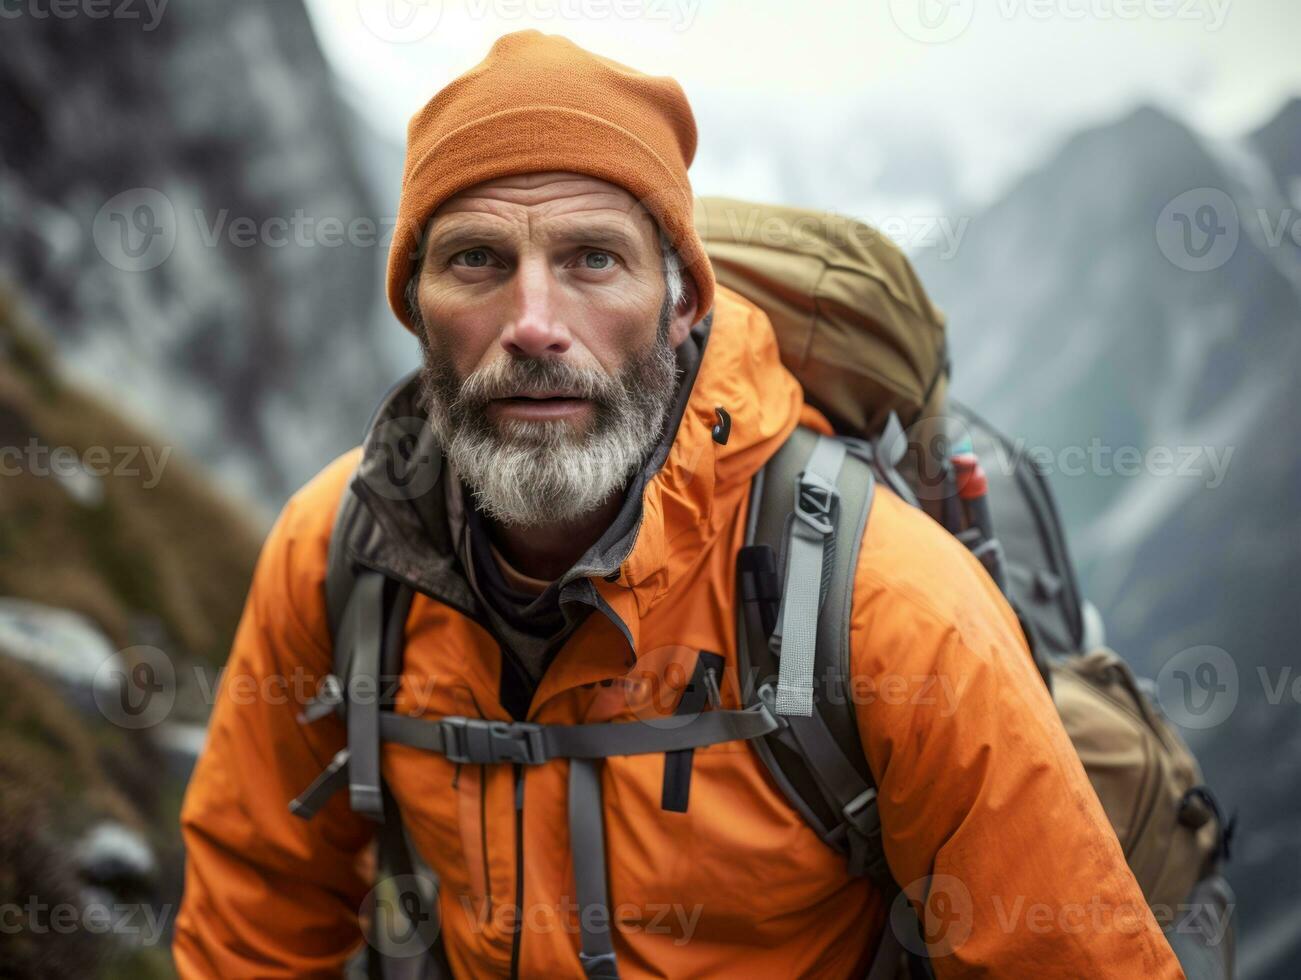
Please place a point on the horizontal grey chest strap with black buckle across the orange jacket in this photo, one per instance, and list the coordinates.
(479, 741)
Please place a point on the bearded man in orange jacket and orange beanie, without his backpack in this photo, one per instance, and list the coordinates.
(578, 533)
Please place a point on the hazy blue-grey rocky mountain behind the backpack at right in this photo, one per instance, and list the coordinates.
(1133, 312)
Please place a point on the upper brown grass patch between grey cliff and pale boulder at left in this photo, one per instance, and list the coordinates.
(176, 552)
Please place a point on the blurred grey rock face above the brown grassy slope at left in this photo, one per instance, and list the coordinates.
(180, 205)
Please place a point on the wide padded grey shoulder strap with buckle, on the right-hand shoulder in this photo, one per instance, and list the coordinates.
(807, 516)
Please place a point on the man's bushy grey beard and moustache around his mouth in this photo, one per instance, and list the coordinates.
(530, 474)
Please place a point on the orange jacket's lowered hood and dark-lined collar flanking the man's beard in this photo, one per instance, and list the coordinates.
(732, 378)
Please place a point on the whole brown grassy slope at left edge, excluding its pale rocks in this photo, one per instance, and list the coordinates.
(167, 565)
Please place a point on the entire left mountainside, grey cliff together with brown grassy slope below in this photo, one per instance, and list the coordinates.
(133, 162)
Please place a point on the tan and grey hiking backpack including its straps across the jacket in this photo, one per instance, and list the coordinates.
(857, 329)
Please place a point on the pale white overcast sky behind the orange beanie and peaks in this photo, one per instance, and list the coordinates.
(970, 93)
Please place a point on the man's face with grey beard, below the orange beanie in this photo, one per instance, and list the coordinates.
(548, 339)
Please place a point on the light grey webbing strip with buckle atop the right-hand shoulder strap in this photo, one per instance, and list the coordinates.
(796, 638)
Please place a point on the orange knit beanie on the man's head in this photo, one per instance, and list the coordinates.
(542, 103)
